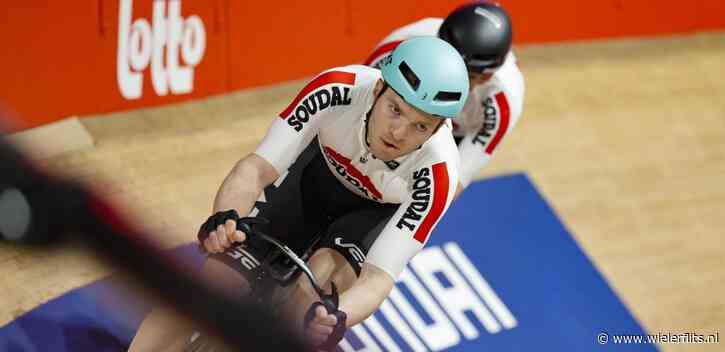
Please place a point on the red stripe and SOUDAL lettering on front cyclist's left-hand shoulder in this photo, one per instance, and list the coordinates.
(327, 92)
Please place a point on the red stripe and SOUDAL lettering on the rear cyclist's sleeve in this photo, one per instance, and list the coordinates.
(492, 130)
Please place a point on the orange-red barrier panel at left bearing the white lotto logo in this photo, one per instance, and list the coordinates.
(68, 57)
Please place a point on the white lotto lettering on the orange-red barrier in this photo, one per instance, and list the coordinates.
(160, 44)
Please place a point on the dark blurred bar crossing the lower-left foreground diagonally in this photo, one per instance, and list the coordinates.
(42, 210)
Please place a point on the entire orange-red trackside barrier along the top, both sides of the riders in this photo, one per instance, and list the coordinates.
(82, 57)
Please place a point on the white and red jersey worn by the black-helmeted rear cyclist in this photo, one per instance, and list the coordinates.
(492, 108)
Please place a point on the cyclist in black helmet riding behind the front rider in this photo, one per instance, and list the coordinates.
(481, 32)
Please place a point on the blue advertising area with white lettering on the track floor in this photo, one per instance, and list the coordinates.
(499, 273)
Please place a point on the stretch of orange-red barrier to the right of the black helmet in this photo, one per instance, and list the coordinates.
(567, 20)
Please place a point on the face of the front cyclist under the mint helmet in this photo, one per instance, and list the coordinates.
(395, 127)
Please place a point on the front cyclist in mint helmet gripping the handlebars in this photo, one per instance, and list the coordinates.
(356, 171)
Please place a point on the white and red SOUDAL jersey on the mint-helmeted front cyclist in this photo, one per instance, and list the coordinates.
(333, 108)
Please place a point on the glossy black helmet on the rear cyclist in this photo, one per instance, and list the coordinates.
(481, 32)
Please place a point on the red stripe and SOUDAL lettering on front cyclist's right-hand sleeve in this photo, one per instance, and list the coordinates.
(429, 198)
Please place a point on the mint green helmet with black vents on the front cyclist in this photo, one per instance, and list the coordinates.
(429, 74)
